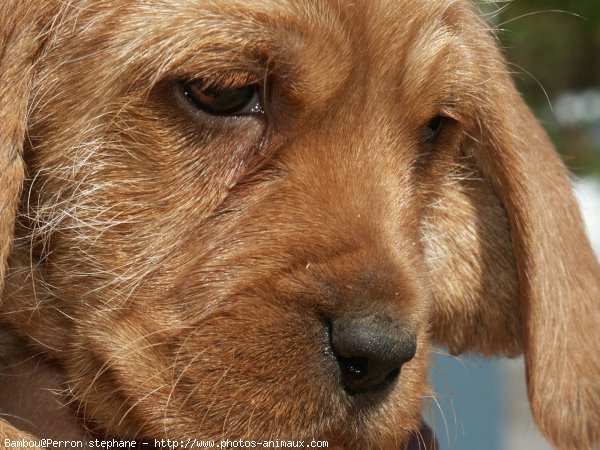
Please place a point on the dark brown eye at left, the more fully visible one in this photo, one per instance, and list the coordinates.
(224, 101)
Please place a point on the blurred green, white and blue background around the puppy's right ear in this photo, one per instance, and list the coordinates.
(554, 50)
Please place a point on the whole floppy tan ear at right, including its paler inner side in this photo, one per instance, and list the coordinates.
(512, 267)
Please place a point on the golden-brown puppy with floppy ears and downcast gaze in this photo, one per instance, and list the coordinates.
(228, 219)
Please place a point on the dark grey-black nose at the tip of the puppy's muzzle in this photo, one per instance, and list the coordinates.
(370, 351)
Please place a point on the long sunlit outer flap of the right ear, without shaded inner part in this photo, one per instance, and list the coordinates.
(557, 272)
